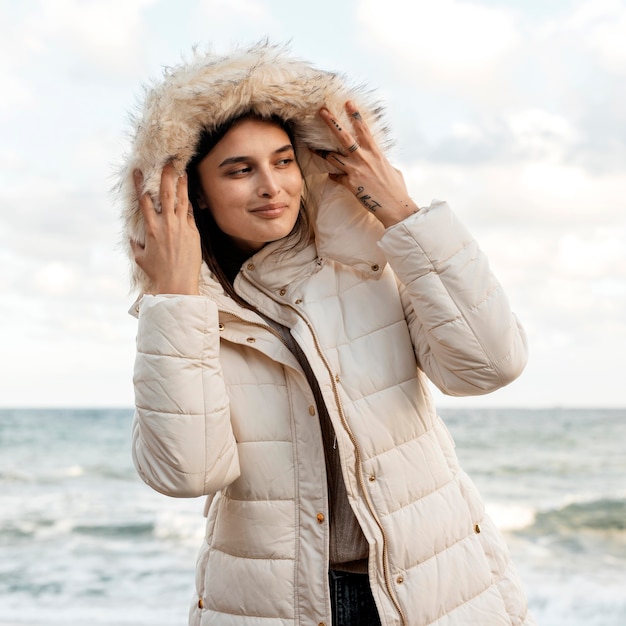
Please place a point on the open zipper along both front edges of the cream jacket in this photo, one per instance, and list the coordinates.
(344, 422)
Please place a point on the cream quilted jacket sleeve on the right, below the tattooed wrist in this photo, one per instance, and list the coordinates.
(466, 339)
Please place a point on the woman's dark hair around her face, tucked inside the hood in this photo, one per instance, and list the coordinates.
(219, 252)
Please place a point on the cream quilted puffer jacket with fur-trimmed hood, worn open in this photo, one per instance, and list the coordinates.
(223, 408)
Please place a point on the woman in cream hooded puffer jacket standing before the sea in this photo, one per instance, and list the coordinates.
(294, 300)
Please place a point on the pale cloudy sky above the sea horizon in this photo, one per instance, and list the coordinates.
(513, 112)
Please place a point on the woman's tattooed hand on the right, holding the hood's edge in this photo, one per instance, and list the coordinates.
(365, 171)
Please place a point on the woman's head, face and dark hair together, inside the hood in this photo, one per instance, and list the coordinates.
(245, 186)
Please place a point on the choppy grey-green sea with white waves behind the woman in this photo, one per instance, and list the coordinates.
(84, 541)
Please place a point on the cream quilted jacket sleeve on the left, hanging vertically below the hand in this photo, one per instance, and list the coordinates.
(183, 442)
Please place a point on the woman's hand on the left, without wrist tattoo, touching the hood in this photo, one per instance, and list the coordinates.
(171, 254)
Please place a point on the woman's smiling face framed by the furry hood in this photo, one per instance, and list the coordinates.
(252, 184)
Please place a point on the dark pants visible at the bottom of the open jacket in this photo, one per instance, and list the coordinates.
(351, 600)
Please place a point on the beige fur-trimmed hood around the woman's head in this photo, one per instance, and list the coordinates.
(207, 90)
